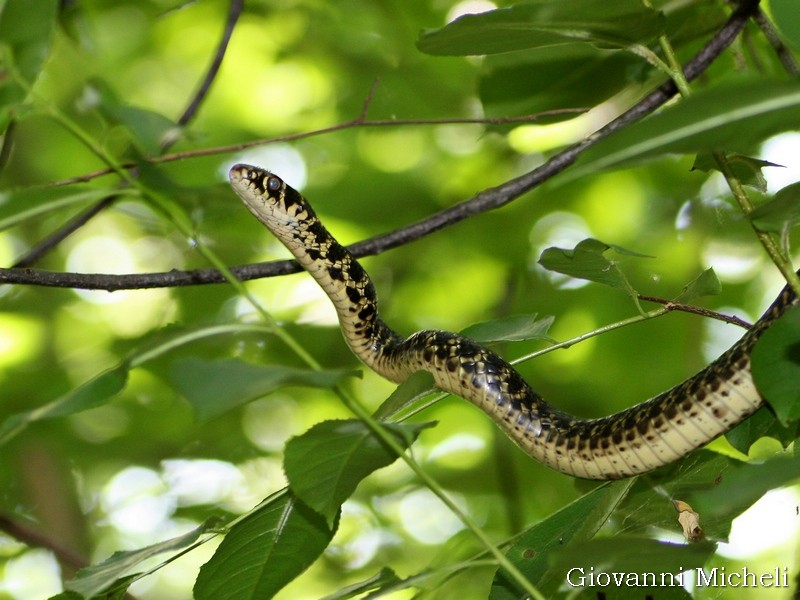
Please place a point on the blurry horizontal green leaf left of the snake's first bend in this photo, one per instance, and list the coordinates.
(215, 387)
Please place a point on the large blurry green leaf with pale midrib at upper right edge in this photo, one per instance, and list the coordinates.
(731, 117)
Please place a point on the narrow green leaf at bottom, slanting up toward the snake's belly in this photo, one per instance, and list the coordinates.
(575, 523)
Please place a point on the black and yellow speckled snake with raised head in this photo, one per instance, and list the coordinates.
(633, 441)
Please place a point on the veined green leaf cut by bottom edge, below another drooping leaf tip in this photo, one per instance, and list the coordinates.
(264, 551)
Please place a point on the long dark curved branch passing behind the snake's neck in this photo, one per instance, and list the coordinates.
(486, 200)
